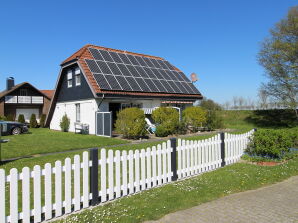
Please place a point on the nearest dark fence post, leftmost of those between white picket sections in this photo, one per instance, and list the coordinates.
(94, 176)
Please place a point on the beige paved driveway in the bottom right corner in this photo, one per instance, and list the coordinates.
(275, 203)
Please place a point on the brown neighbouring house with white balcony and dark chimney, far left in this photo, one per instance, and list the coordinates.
(24, 99)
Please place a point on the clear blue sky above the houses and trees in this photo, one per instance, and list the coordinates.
(218, 40)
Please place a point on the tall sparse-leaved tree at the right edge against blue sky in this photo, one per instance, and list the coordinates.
(279, 56)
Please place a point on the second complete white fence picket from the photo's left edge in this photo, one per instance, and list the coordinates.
(25, 193)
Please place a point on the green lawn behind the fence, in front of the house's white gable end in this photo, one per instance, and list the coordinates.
(43, 140)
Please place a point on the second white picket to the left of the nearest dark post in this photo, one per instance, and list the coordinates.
(77, 183)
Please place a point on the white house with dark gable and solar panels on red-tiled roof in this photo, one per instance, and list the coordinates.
(96, 82)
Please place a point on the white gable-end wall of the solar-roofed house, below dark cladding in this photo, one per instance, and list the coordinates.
(87, 109)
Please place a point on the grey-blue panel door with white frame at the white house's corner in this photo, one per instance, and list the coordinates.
(104, 124)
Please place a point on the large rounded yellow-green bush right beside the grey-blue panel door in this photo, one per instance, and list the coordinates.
(131, 123)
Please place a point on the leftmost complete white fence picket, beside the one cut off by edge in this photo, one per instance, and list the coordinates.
(14, 195)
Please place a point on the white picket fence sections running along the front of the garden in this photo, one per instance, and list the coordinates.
(58, 190)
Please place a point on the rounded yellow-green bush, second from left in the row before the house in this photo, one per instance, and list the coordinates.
(168, 118)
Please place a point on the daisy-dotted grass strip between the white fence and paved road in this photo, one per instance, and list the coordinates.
(155, 203)
